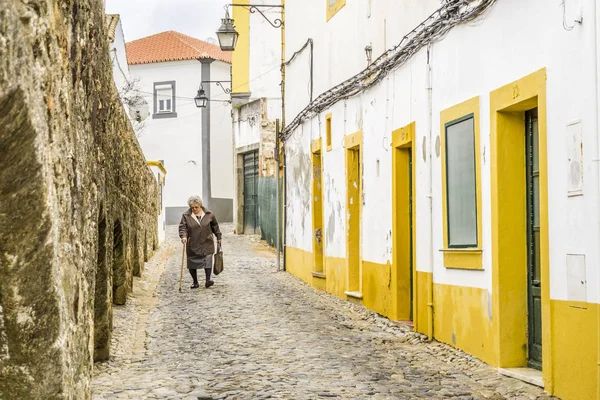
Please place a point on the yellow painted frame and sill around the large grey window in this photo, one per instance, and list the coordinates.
(461, 260)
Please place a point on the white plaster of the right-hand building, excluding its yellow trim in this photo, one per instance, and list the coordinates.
(514, 39)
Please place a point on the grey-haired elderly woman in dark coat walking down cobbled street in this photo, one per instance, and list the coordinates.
(196, 229)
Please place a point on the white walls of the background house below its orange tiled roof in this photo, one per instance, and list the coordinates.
(178, 141)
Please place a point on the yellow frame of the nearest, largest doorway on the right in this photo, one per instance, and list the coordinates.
(509, 253)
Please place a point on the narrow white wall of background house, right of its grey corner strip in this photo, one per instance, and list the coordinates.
(221, 136)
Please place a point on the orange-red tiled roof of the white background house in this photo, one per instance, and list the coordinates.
(172, 46)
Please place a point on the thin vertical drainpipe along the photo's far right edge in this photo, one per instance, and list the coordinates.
(597, 162)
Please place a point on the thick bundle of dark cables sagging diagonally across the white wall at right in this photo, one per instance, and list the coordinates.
(433, 28)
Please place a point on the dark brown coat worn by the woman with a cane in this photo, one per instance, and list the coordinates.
(200, 237)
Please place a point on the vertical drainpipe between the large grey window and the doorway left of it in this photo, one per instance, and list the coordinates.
(430, 195)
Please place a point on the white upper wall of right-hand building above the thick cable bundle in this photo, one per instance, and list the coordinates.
(339, 44)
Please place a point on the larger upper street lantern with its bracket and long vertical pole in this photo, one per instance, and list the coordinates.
(228, 38)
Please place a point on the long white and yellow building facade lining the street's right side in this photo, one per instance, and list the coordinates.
(453, 180)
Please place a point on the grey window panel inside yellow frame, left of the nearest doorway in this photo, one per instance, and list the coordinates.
(461, 194)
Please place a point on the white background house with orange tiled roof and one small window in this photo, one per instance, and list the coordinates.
(194, 144)
